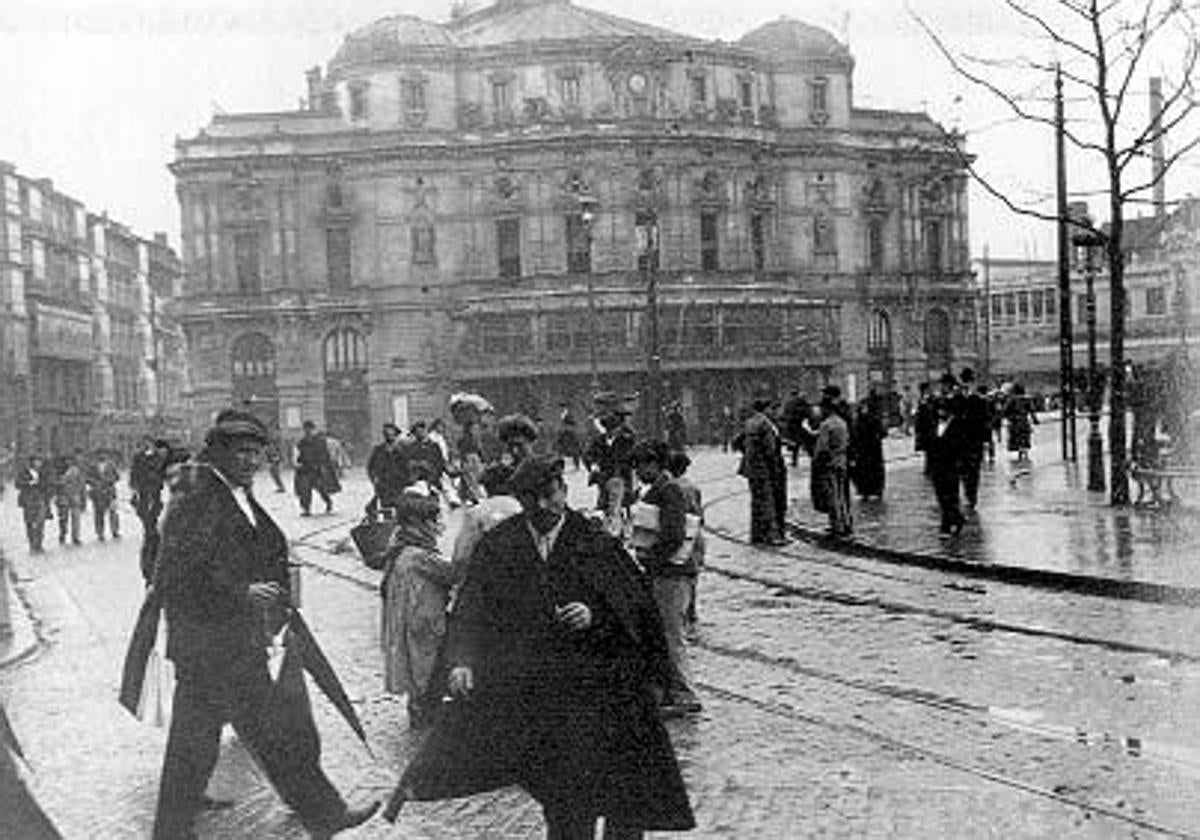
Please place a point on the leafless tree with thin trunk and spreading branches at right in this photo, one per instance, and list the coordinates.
(1102, 49)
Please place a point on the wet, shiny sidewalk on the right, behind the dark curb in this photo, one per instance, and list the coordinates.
(1039, 524)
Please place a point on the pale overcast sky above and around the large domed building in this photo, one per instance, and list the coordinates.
(97, 92)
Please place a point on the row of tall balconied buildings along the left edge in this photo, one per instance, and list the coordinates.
(79, 328)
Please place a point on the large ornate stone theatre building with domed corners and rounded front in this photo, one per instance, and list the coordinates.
(535, 200)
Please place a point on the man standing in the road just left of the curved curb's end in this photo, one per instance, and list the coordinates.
(766, 473)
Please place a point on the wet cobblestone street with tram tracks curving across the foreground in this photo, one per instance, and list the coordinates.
(844, 698)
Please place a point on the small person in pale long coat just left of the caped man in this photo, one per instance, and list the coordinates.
(417, 586)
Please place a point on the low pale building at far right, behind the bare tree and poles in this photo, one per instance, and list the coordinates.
(1162, 303)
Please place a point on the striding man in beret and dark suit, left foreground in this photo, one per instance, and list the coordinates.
(223, 583)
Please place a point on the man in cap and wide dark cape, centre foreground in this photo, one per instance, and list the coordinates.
(555, 650)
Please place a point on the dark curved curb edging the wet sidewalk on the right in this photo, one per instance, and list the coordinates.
(1085, 585)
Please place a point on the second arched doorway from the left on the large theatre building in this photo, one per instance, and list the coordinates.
(347, 407)
